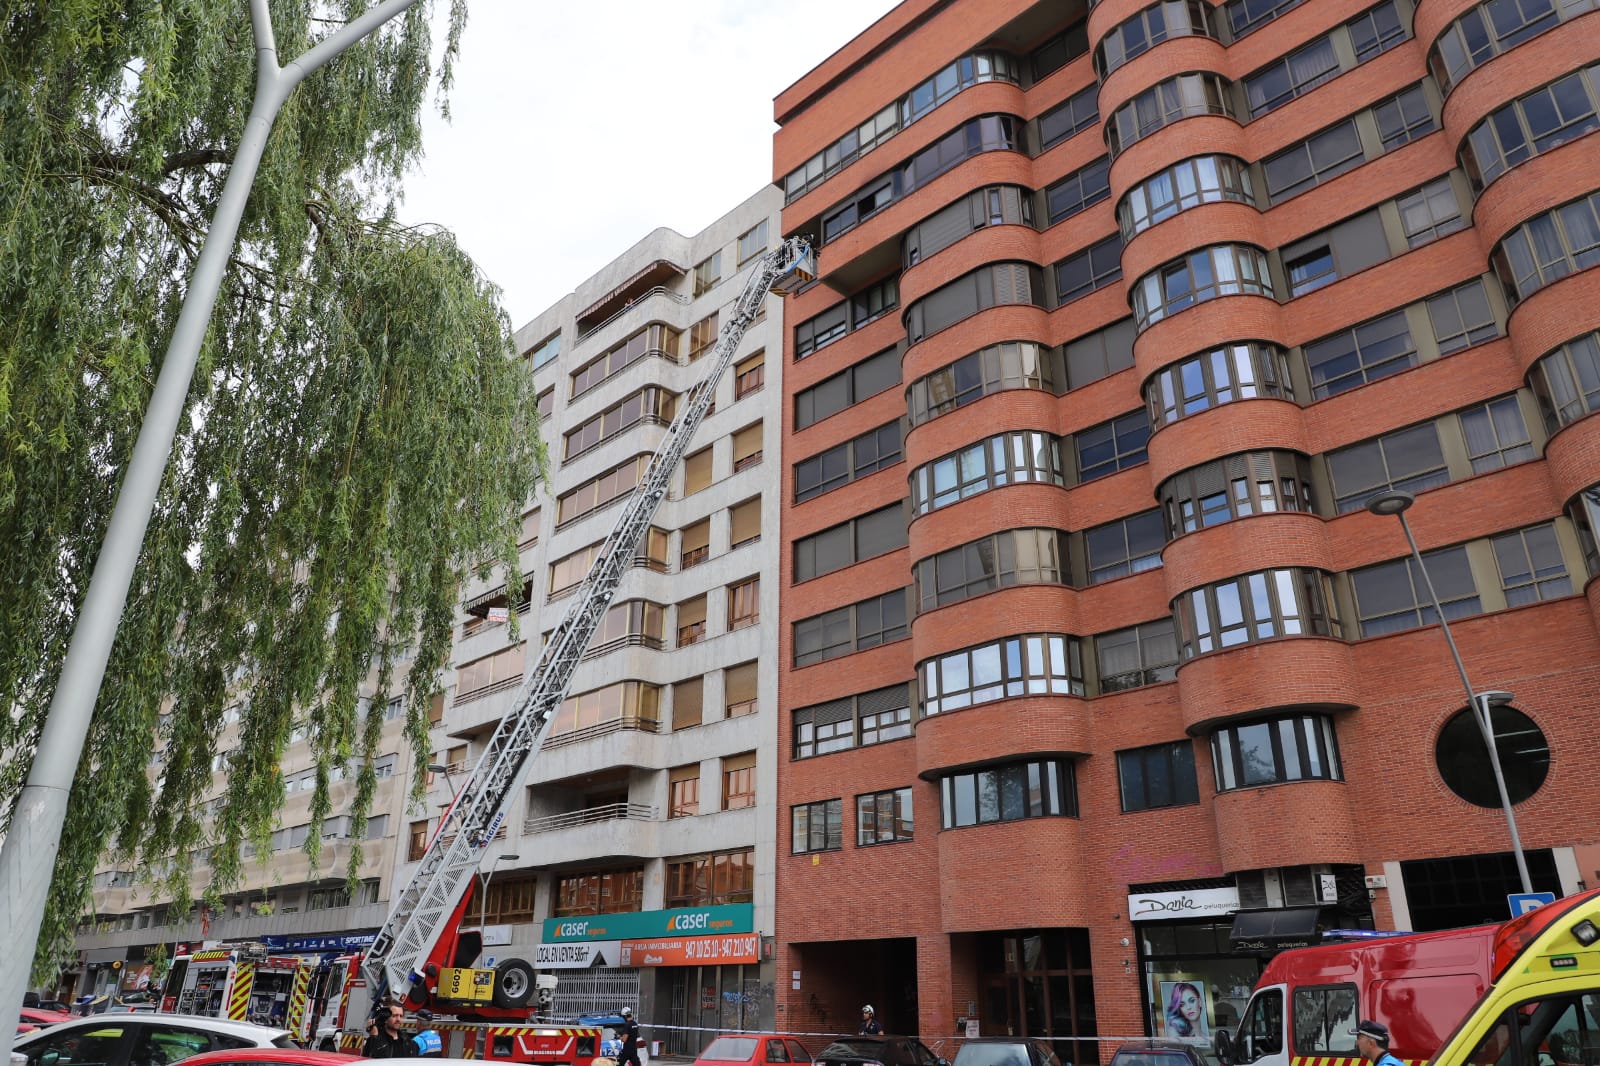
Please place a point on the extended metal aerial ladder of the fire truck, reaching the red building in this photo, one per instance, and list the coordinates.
(434, 896)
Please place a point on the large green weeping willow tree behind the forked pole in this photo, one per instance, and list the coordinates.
(358, 439)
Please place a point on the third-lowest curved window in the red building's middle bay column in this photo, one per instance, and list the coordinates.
(1236, 487)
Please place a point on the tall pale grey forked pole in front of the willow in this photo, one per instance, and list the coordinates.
(28, 857)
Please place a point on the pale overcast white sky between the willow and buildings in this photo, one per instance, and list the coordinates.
(578, 127)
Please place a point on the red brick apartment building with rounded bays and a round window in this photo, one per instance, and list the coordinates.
(1097, 678)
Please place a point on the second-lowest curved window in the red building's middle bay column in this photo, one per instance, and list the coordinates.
(1289, 603)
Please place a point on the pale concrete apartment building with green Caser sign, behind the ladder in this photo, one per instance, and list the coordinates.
(654, 804)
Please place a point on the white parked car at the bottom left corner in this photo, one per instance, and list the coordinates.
(129, 1040)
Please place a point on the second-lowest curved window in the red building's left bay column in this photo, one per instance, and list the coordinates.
(1031, 665)
